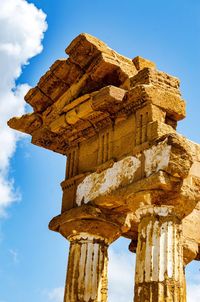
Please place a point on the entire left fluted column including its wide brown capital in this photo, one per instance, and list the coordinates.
(90, 232)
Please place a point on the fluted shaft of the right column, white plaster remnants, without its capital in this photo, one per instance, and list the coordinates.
(159, 257)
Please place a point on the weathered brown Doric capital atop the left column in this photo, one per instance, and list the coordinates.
(90, 220)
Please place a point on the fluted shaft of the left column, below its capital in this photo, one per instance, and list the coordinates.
(87, 269)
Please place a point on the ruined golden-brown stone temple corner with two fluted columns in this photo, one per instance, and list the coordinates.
(128, 173)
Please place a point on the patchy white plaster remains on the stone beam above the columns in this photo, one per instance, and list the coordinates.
(122, 173)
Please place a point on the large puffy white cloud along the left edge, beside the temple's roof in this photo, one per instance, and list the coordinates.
(22, 27)
